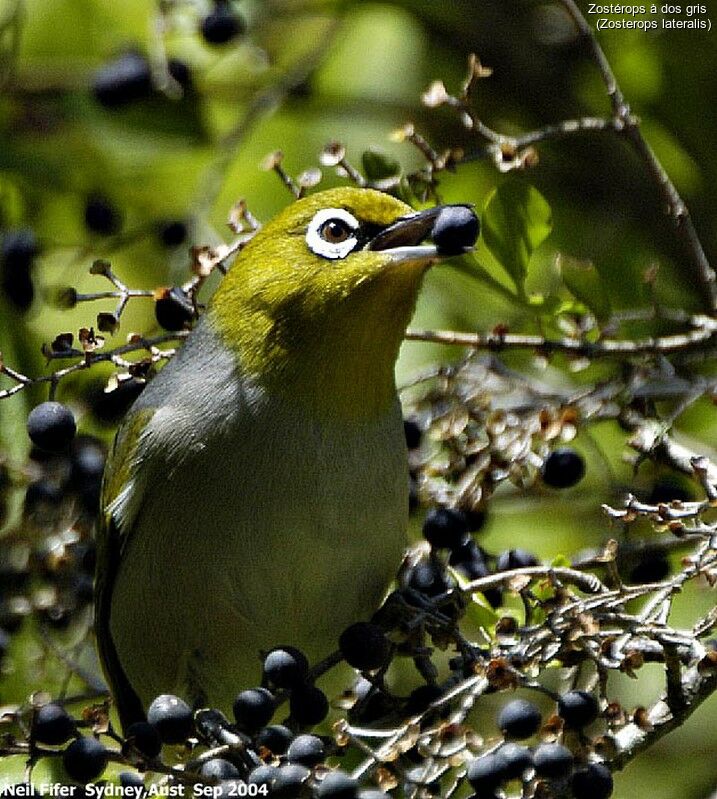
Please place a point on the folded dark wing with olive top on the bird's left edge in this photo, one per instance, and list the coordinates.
(123, 489)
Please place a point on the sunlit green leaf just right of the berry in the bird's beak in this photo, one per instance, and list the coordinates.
(516, 220)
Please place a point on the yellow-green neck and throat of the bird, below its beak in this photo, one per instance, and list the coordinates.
(339, 366)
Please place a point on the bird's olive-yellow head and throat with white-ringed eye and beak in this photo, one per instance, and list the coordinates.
(321, 296)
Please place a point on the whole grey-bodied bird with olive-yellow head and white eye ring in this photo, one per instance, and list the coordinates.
(257, 491)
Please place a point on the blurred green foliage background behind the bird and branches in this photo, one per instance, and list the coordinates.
(305, 73)
